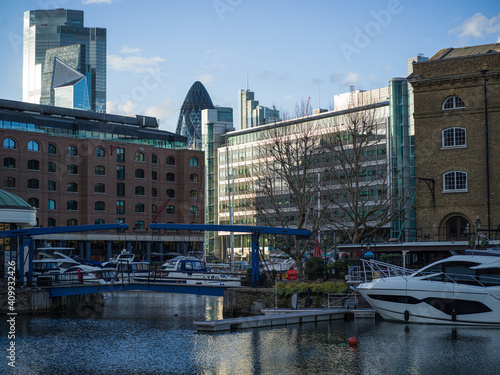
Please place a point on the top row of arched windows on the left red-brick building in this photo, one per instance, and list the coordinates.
(99, 152)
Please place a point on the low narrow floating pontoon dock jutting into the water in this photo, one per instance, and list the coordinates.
(280, 317)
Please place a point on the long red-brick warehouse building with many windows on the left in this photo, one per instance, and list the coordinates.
(79, 167)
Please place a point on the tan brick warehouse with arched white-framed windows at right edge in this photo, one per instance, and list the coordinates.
(457, 143)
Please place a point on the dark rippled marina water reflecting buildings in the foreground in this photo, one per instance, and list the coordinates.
(153, 333)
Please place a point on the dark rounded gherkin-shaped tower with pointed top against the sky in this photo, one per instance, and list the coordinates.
(189, 124)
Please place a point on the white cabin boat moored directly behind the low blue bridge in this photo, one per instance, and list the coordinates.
(192, 271)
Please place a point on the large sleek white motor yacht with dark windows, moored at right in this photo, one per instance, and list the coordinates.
(460, 290)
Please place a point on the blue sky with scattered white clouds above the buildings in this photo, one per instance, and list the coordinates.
(286, 51)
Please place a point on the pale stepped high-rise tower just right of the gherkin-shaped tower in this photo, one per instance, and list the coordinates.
(253, 114)
